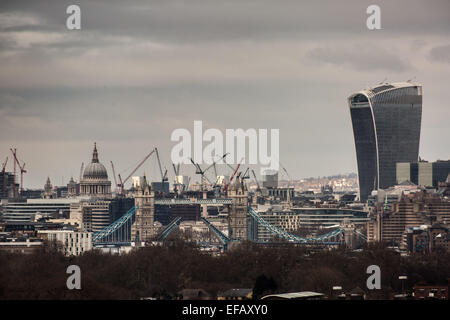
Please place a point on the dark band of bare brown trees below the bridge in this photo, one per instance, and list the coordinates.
(163, 271)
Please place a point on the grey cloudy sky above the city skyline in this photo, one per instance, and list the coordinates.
(137, 70)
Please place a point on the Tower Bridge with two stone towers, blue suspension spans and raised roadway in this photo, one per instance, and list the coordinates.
(137, 225)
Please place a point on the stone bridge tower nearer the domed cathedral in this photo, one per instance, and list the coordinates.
(143, 228)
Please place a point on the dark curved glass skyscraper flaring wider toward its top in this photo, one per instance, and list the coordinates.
(386, 126)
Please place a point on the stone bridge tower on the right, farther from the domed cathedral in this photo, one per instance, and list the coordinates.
(237, 219)
